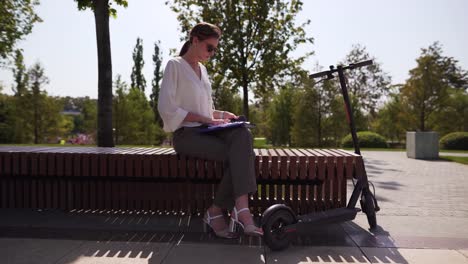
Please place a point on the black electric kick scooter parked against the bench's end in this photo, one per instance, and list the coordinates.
(279, 222)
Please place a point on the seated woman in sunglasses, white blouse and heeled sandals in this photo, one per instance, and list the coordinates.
(186, 106)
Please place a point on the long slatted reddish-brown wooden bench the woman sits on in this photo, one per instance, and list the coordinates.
(158, 179)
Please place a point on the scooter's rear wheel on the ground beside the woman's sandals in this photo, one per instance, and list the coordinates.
(273, 231)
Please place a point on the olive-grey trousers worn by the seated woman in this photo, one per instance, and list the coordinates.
(234, 147)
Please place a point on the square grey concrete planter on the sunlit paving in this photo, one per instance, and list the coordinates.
(422, 145)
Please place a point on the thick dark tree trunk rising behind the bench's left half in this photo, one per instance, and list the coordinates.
(101, 16)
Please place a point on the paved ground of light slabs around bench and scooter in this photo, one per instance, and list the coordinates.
(423, 219)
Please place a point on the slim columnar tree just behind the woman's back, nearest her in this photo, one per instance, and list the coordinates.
(155, 83)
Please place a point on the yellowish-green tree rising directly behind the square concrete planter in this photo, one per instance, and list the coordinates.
(426, 91)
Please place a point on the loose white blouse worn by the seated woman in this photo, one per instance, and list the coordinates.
(182, 92)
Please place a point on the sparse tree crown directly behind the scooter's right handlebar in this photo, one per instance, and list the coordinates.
(366, 84)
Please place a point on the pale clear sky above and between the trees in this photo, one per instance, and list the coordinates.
(392, 31)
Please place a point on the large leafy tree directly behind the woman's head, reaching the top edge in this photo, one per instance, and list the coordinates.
(258, 38)
